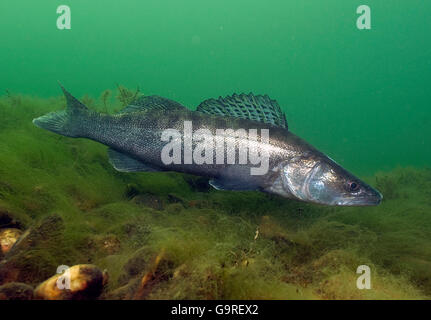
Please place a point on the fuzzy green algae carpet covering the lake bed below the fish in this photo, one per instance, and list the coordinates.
(170, 236)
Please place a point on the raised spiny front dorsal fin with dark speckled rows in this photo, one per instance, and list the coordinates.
(257, 108)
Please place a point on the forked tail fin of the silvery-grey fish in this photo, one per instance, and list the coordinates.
(65, 122)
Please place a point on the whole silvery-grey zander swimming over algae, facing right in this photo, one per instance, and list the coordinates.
(240, 142)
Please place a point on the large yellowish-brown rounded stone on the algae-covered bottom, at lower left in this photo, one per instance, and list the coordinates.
(85, 282)
